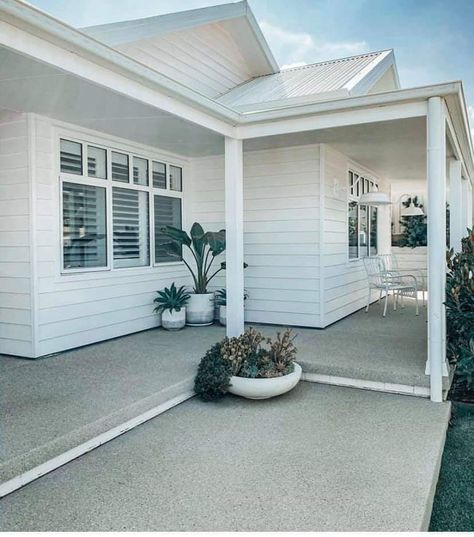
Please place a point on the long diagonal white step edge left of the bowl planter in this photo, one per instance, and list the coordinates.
(42, 469)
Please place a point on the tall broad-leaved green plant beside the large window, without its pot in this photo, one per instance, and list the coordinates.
(204, 247)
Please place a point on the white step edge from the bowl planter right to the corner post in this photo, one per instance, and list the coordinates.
(378, 386)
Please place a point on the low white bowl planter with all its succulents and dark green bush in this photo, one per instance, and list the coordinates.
(250, 365)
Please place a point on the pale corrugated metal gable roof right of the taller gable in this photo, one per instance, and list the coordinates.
(334, 79)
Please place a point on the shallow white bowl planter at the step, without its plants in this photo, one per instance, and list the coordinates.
(265, 388)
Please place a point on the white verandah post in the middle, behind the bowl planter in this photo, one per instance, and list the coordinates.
(234, 216)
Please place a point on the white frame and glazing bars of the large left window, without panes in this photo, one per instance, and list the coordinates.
(108, 184)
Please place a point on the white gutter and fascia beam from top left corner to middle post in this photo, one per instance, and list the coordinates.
(38, 35)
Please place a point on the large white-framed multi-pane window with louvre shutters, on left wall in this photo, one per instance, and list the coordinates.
(144, 200)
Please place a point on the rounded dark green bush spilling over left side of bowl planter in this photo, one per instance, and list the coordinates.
(213, 377)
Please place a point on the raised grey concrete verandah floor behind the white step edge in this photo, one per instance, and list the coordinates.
(57, 403)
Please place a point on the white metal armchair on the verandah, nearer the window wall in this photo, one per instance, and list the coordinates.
(382, 280)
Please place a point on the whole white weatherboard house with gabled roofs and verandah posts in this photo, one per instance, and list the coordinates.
(109, 132)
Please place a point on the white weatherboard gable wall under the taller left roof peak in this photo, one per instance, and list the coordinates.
(205, 58)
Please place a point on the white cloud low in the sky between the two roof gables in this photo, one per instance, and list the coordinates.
(300, 48)
